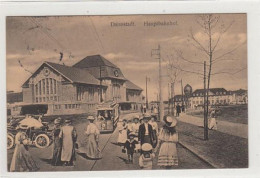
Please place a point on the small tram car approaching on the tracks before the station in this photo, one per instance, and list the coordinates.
(107, 118)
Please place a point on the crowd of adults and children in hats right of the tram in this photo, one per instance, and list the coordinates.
(142, 135)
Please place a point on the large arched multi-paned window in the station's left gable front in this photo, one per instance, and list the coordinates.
(46, 90)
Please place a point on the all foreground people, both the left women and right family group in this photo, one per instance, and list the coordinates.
(140, 135)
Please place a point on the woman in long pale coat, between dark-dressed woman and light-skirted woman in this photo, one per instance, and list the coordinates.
(68, 135)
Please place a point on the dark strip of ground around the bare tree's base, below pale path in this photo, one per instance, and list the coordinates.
(220, 151)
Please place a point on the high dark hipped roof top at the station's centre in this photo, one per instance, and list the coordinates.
(94, 61)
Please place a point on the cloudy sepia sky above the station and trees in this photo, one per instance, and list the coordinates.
(33, 40)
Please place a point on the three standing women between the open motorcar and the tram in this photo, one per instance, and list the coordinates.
(65, 142)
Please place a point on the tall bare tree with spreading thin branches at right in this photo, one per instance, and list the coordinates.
(213, 29)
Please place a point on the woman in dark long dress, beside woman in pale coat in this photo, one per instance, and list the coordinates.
(57, 146)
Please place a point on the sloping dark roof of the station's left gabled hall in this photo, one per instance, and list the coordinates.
(74, 74)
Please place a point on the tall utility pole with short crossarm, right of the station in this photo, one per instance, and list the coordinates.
(157, 53)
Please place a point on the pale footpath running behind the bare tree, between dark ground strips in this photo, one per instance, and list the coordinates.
(236, 129)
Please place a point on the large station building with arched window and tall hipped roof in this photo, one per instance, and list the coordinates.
(79, 88)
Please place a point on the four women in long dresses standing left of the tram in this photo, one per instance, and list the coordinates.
(64, 146)
